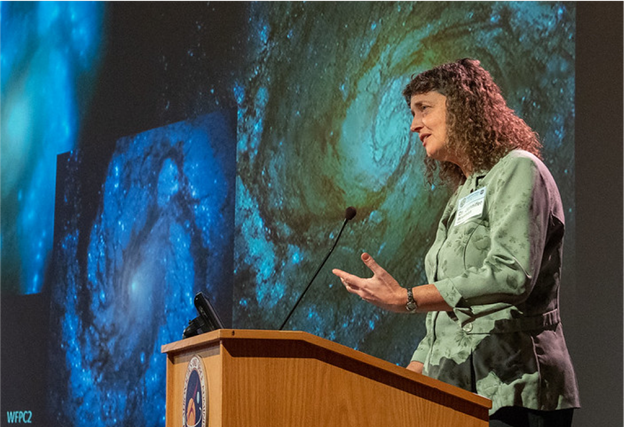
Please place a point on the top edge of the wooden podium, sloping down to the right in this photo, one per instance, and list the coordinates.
(242, 335)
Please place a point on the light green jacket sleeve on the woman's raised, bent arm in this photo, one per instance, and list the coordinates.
(518, 212)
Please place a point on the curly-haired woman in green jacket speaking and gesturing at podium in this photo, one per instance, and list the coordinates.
(492, 298)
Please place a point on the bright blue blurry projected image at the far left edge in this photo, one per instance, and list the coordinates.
(46, 48)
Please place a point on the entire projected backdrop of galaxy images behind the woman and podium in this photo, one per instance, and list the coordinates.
(214, 146)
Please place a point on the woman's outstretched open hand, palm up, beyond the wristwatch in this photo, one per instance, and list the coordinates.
(381, 290)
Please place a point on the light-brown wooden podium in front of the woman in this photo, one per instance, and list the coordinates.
(289, 378)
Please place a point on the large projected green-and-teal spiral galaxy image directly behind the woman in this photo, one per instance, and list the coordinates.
(322, 126)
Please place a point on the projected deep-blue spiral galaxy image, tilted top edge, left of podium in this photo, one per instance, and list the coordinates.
(164, 231)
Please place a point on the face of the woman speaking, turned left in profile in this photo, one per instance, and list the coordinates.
(429, 111)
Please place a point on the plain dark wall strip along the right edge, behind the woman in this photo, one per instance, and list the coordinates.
(595, 316)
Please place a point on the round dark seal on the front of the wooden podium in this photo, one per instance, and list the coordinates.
(195, 398)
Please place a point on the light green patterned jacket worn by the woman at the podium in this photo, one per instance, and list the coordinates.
(500, 269)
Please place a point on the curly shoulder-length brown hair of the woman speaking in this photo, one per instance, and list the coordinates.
(481, 128)
